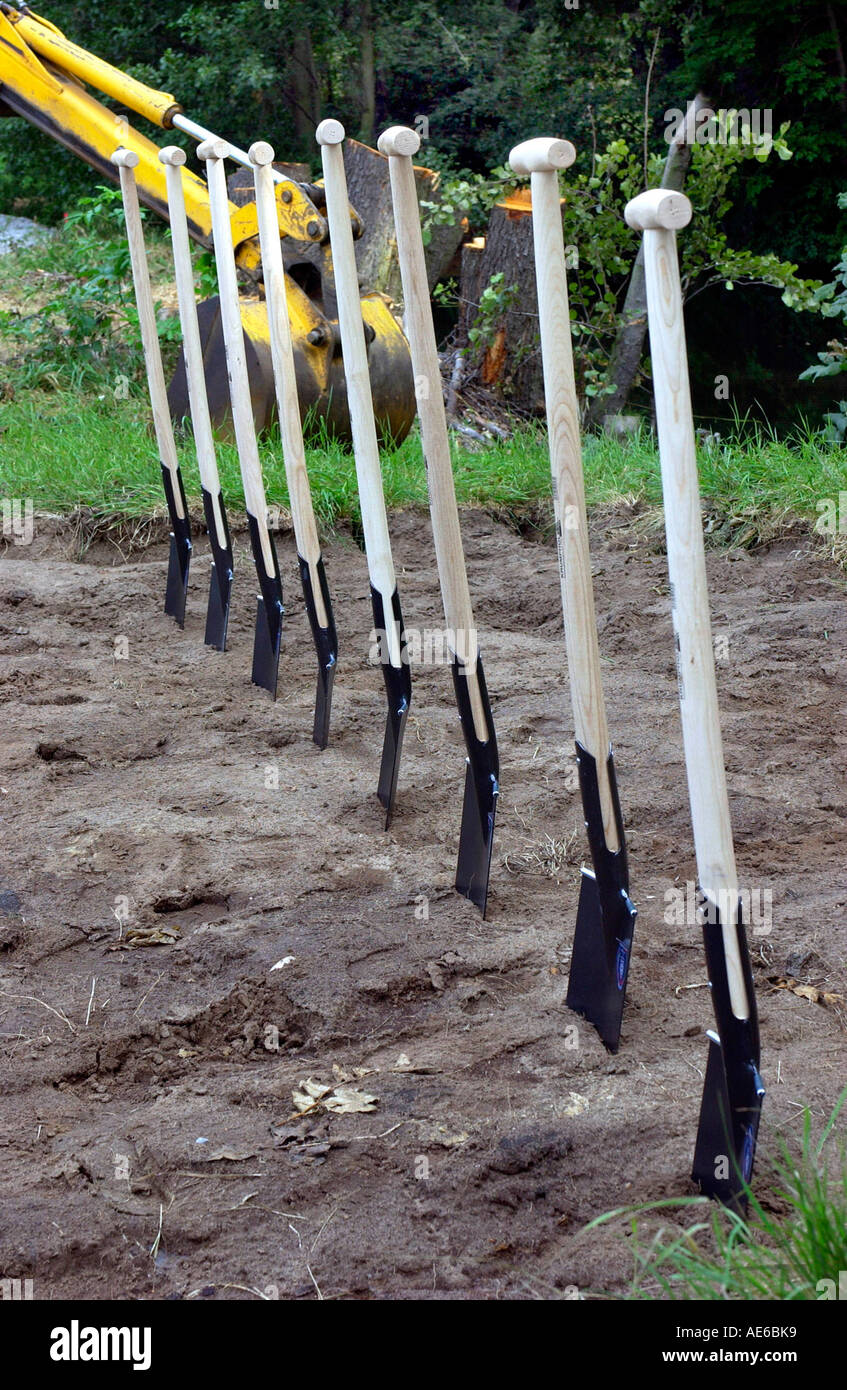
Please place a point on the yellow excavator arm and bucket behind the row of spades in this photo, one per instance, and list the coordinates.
(45, 79)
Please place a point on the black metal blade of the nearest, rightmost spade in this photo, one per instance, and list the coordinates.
(732, 1095)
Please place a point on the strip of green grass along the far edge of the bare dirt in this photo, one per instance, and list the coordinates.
(66, 451)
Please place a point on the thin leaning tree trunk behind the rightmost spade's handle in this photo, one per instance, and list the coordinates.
(629, 344)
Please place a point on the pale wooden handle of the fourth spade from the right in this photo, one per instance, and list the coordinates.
(375, 522)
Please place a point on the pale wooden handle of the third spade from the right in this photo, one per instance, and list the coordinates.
(400, 144)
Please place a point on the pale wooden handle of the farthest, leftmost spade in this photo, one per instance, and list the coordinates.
(126, 162)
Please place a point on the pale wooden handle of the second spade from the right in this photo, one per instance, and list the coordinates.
(543, 159)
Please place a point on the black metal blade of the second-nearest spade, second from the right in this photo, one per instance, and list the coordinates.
(606, 919)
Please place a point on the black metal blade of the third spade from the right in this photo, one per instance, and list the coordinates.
(482, 790)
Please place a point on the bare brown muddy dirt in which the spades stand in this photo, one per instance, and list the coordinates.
(169, 836)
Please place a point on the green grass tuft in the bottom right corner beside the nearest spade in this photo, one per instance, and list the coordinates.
(793, 1238)
